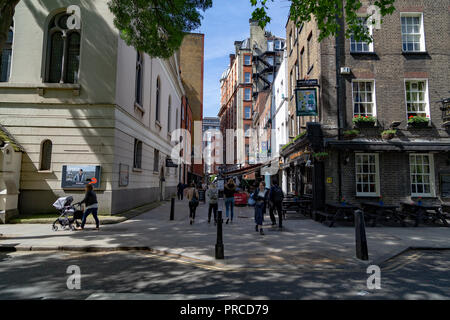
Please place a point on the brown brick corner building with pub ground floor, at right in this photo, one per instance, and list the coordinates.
(402, 74)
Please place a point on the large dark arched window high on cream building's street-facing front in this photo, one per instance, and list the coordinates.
(63, 56)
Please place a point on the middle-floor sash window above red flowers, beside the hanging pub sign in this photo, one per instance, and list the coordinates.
(364, 98)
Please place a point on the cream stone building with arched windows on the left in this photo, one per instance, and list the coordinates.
(79, 97)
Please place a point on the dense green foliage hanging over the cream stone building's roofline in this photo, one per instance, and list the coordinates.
(157, 27)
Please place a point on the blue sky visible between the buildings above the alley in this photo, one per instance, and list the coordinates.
(228, 21)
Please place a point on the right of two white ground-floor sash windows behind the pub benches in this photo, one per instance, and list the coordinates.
(422, 175)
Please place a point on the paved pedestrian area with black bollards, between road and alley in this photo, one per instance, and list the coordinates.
(303, 243)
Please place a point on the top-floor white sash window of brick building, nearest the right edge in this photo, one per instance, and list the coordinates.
(413, 38)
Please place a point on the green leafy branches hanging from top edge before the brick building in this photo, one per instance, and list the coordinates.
(327, 14)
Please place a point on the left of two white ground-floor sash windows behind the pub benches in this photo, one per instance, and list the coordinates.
(367, 174)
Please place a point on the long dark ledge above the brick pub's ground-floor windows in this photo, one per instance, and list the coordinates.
(413, 146)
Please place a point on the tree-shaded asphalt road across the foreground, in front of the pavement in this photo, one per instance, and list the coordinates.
(142, 275)
